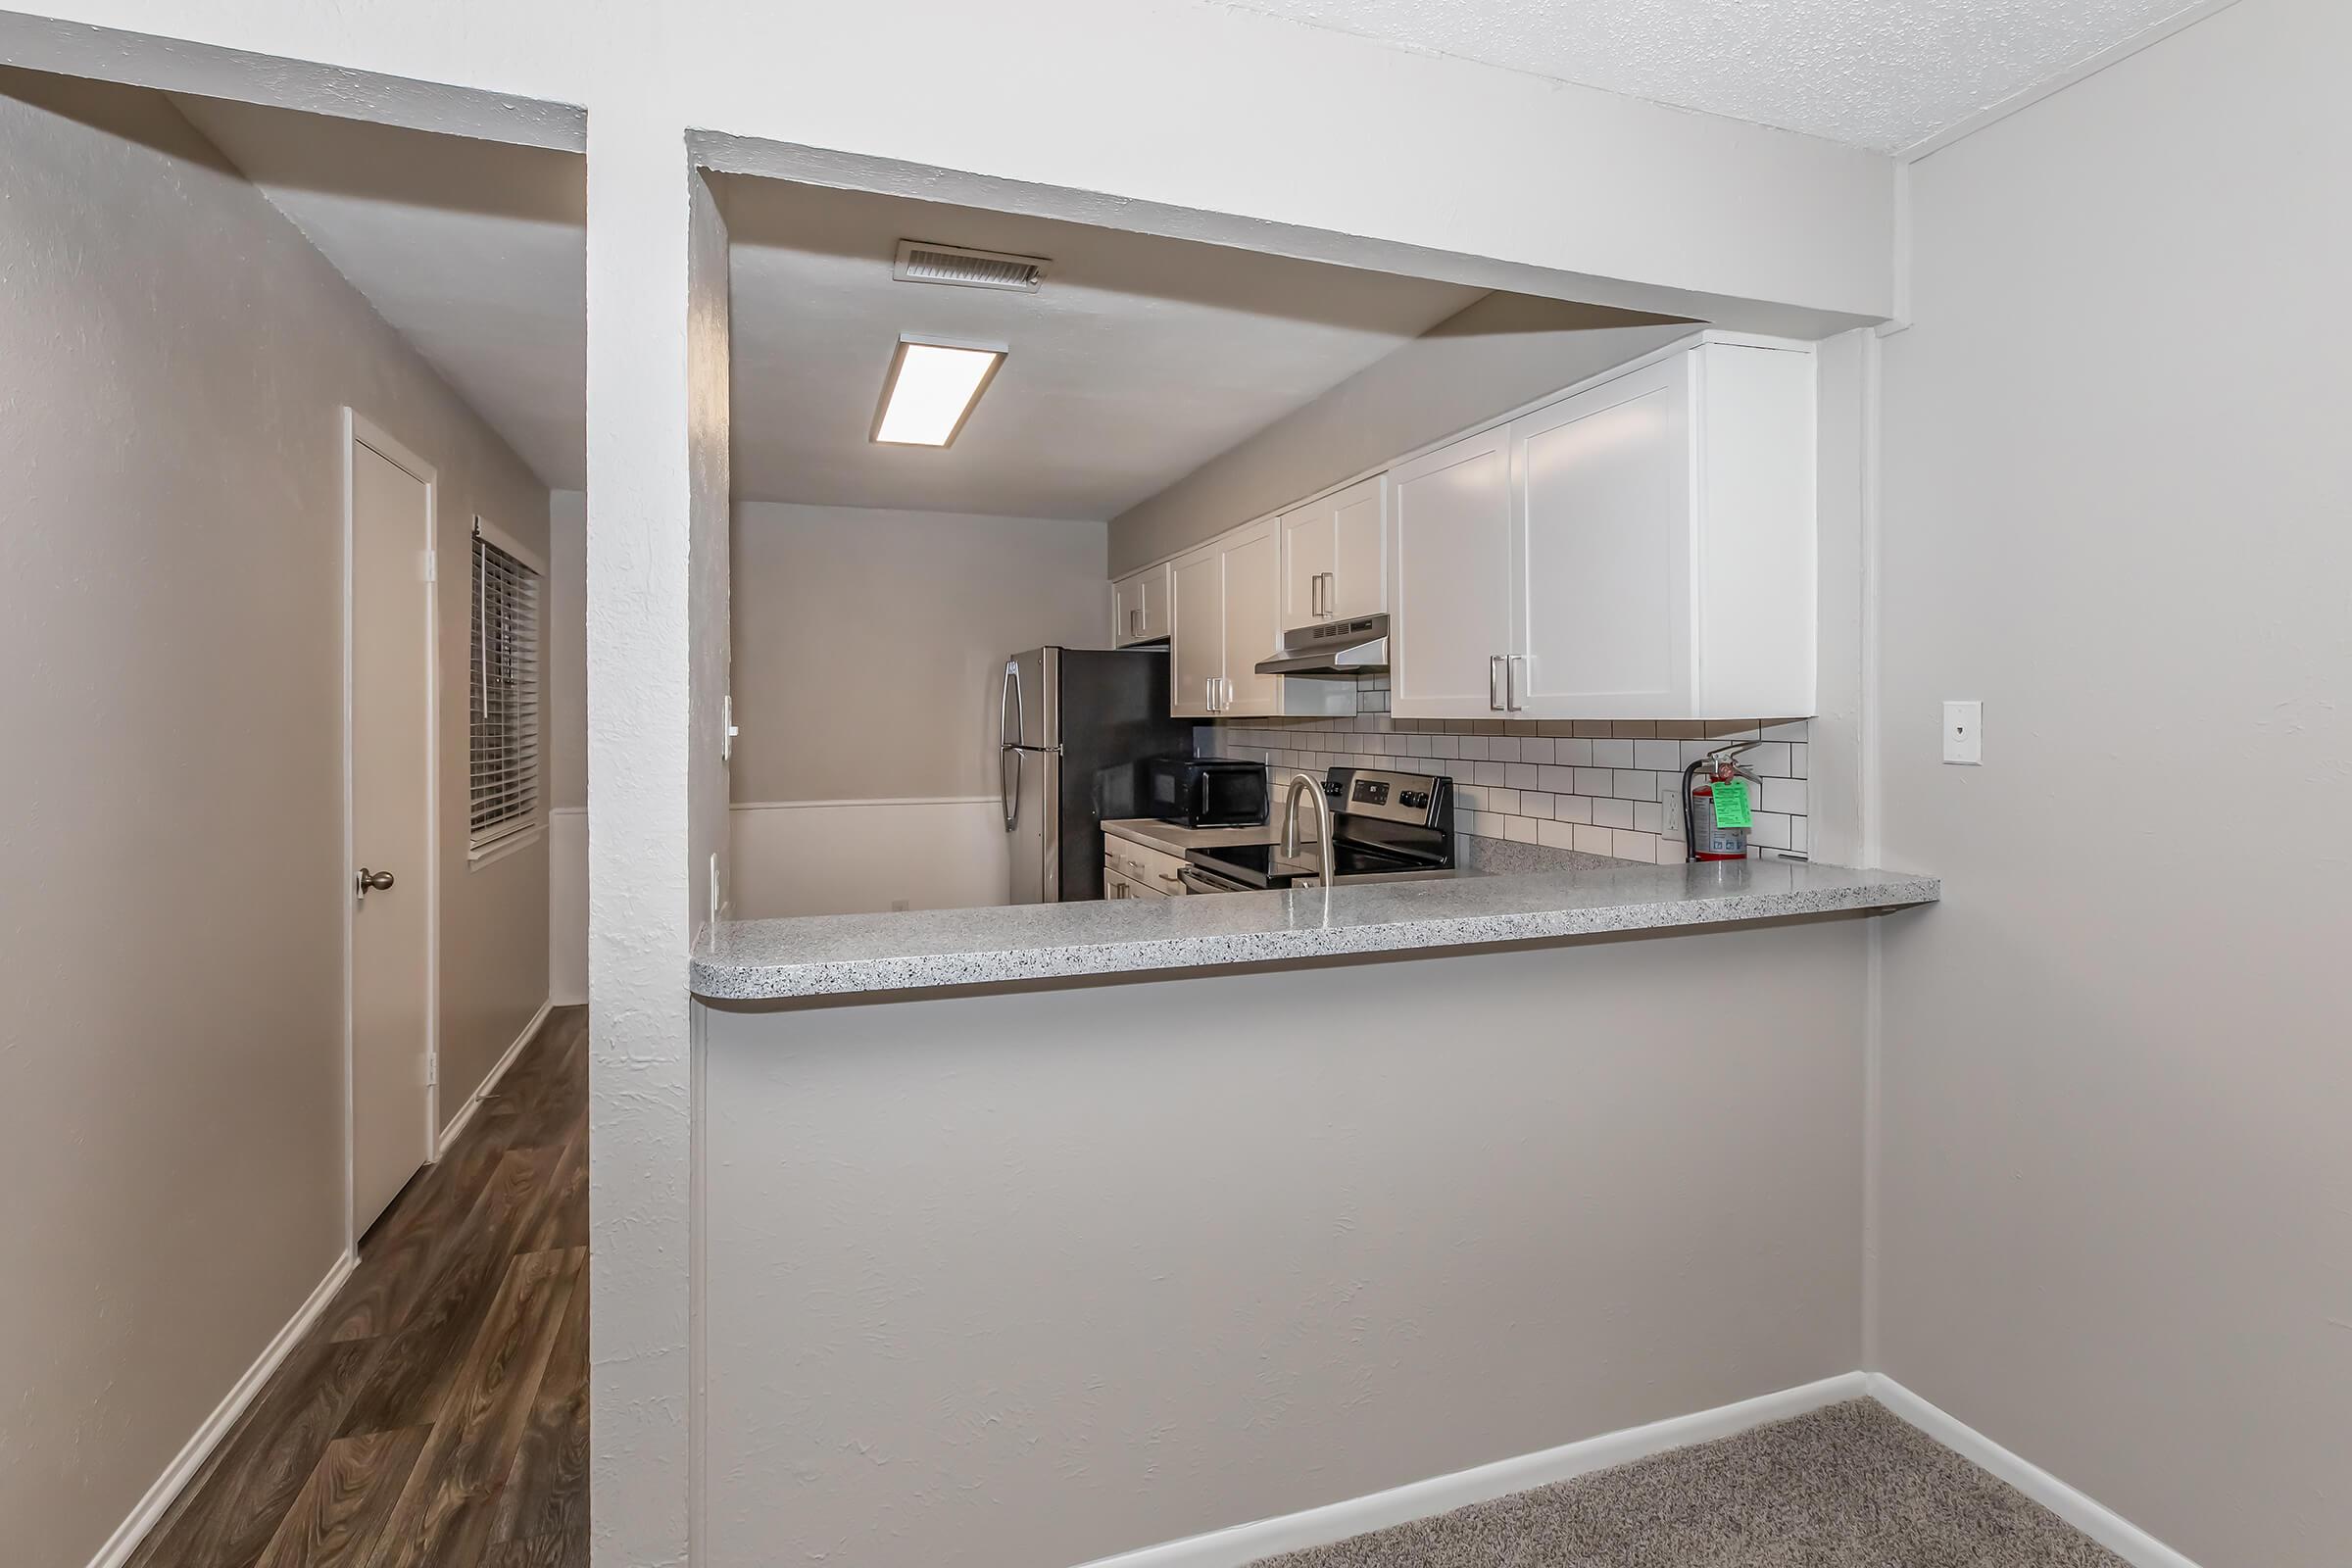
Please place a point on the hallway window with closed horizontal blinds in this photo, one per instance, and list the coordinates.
(505, 695)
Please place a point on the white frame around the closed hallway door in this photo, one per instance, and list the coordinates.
(359, 431)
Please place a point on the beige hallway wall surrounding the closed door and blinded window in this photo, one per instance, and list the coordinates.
(175, 363)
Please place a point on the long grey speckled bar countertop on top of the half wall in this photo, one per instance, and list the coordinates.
(834, 956)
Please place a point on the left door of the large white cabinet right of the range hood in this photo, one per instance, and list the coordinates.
(1450, 622)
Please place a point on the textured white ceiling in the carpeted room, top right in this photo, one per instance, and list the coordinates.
(1878, 74)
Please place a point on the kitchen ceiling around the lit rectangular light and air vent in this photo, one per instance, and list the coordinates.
(1137, 361)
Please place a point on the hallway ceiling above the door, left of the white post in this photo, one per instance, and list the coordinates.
(474, 250)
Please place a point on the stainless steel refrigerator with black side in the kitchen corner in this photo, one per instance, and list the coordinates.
(1074, 732)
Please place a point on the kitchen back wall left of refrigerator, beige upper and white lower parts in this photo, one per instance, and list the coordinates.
(869, 655)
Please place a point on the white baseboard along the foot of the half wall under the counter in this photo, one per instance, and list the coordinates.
(1332, 1522)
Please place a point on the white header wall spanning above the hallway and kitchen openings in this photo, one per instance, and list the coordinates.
(1354, 152)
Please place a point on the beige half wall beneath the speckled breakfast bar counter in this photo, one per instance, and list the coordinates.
(1123, 1278)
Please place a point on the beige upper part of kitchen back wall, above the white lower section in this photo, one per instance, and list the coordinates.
(869, 645)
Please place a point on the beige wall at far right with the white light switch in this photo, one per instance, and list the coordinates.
(2118, 1177)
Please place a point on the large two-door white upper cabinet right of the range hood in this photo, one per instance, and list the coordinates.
(1657, 551)
